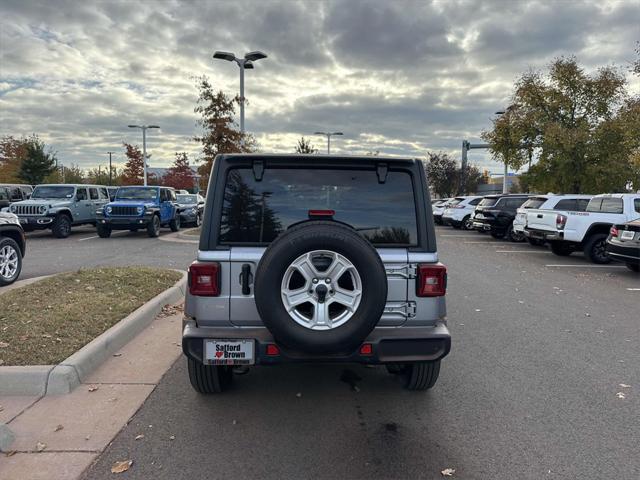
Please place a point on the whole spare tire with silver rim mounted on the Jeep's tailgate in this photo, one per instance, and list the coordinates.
(320, 288)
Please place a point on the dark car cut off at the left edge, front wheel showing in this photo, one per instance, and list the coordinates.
(13, 246)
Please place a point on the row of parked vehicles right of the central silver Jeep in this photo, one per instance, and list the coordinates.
(604, 227)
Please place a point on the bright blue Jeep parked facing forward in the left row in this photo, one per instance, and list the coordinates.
(139, 207)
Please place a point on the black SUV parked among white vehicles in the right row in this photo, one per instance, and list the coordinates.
(495, 214)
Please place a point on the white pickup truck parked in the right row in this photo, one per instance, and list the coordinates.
(569, 231)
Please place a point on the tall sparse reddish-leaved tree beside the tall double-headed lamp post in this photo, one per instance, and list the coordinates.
(220, 133)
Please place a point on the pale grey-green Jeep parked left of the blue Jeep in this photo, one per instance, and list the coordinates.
(60, 207)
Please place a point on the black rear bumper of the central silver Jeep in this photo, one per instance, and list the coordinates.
(389, 345)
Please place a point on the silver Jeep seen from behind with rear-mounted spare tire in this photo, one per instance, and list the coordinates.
(316, 259)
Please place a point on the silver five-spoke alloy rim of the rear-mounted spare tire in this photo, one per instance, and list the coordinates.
(327, 299)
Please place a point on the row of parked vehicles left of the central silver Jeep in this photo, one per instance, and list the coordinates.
(60, 207)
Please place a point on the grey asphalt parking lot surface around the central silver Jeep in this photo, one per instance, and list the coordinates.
(541, 346)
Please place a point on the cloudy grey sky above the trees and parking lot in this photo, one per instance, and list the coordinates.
(395, 76)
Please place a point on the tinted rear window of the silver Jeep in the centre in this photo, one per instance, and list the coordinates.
(256, 212)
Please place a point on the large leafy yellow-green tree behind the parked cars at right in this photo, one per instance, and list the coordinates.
(570, 118)
